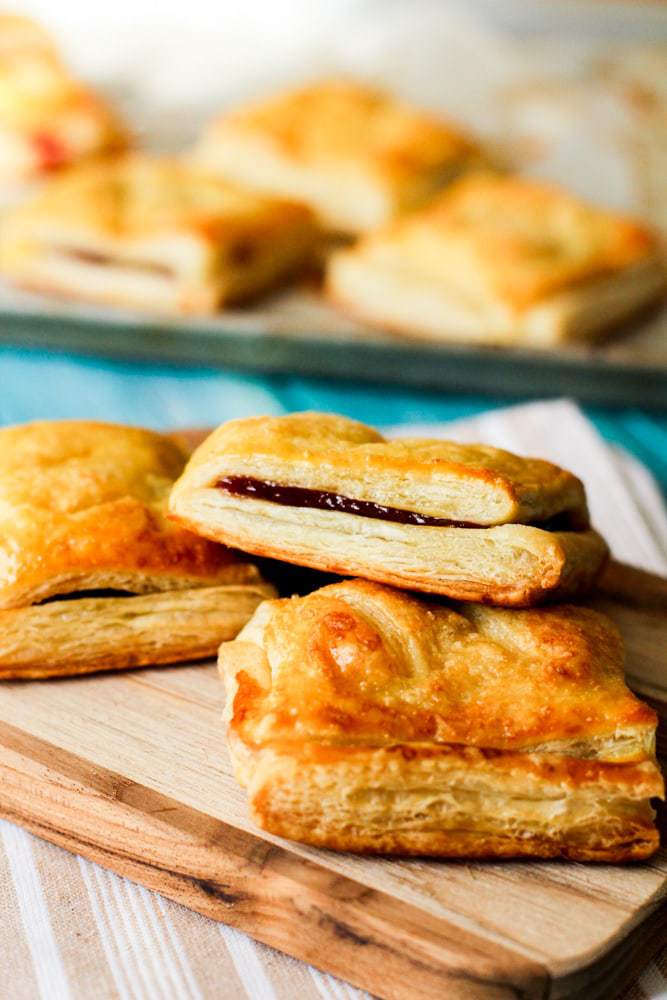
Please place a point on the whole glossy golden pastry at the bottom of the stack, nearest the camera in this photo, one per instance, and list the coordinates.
(363, 719)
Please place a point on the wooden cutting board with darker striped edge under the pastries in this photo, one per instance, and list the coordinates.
(130, 770)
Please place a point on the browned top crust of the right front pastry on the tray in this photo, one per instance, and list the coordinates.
(512, 240)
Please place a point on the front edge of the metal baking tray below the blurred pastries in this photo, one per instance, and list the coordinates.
(299, 334)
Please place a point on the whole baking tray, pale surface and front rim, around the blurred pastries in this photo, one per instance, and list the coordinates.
(570, 94)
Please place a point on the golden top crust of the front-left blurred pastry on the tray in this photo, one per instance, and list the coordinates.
(139, 196)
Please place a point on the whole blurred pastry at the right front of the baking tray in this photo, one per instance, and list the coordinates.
(500, 260)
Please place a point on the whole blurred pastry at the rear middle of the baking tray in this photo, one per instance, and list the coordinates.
(354, 154)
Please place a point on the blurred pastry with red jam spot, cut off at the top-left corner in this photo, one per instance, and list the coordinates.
(47, 119)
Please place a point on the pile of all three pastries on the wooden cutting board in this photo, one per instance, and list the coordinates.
(452, 718)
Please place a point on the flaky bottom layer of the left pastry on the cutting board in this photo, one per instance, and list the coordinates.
(87, 634)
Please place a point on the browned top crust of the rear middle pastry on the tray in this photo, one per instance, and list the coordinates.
(340, 123)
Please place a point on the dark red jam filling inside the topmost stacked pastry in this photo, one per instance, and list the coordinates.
(299, 496)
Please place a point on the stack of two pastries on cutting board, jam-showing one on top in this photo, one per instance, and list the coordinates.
(364, 717)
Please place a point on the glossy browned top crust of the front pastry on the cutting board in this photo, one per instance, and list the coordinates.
(357, 663)
